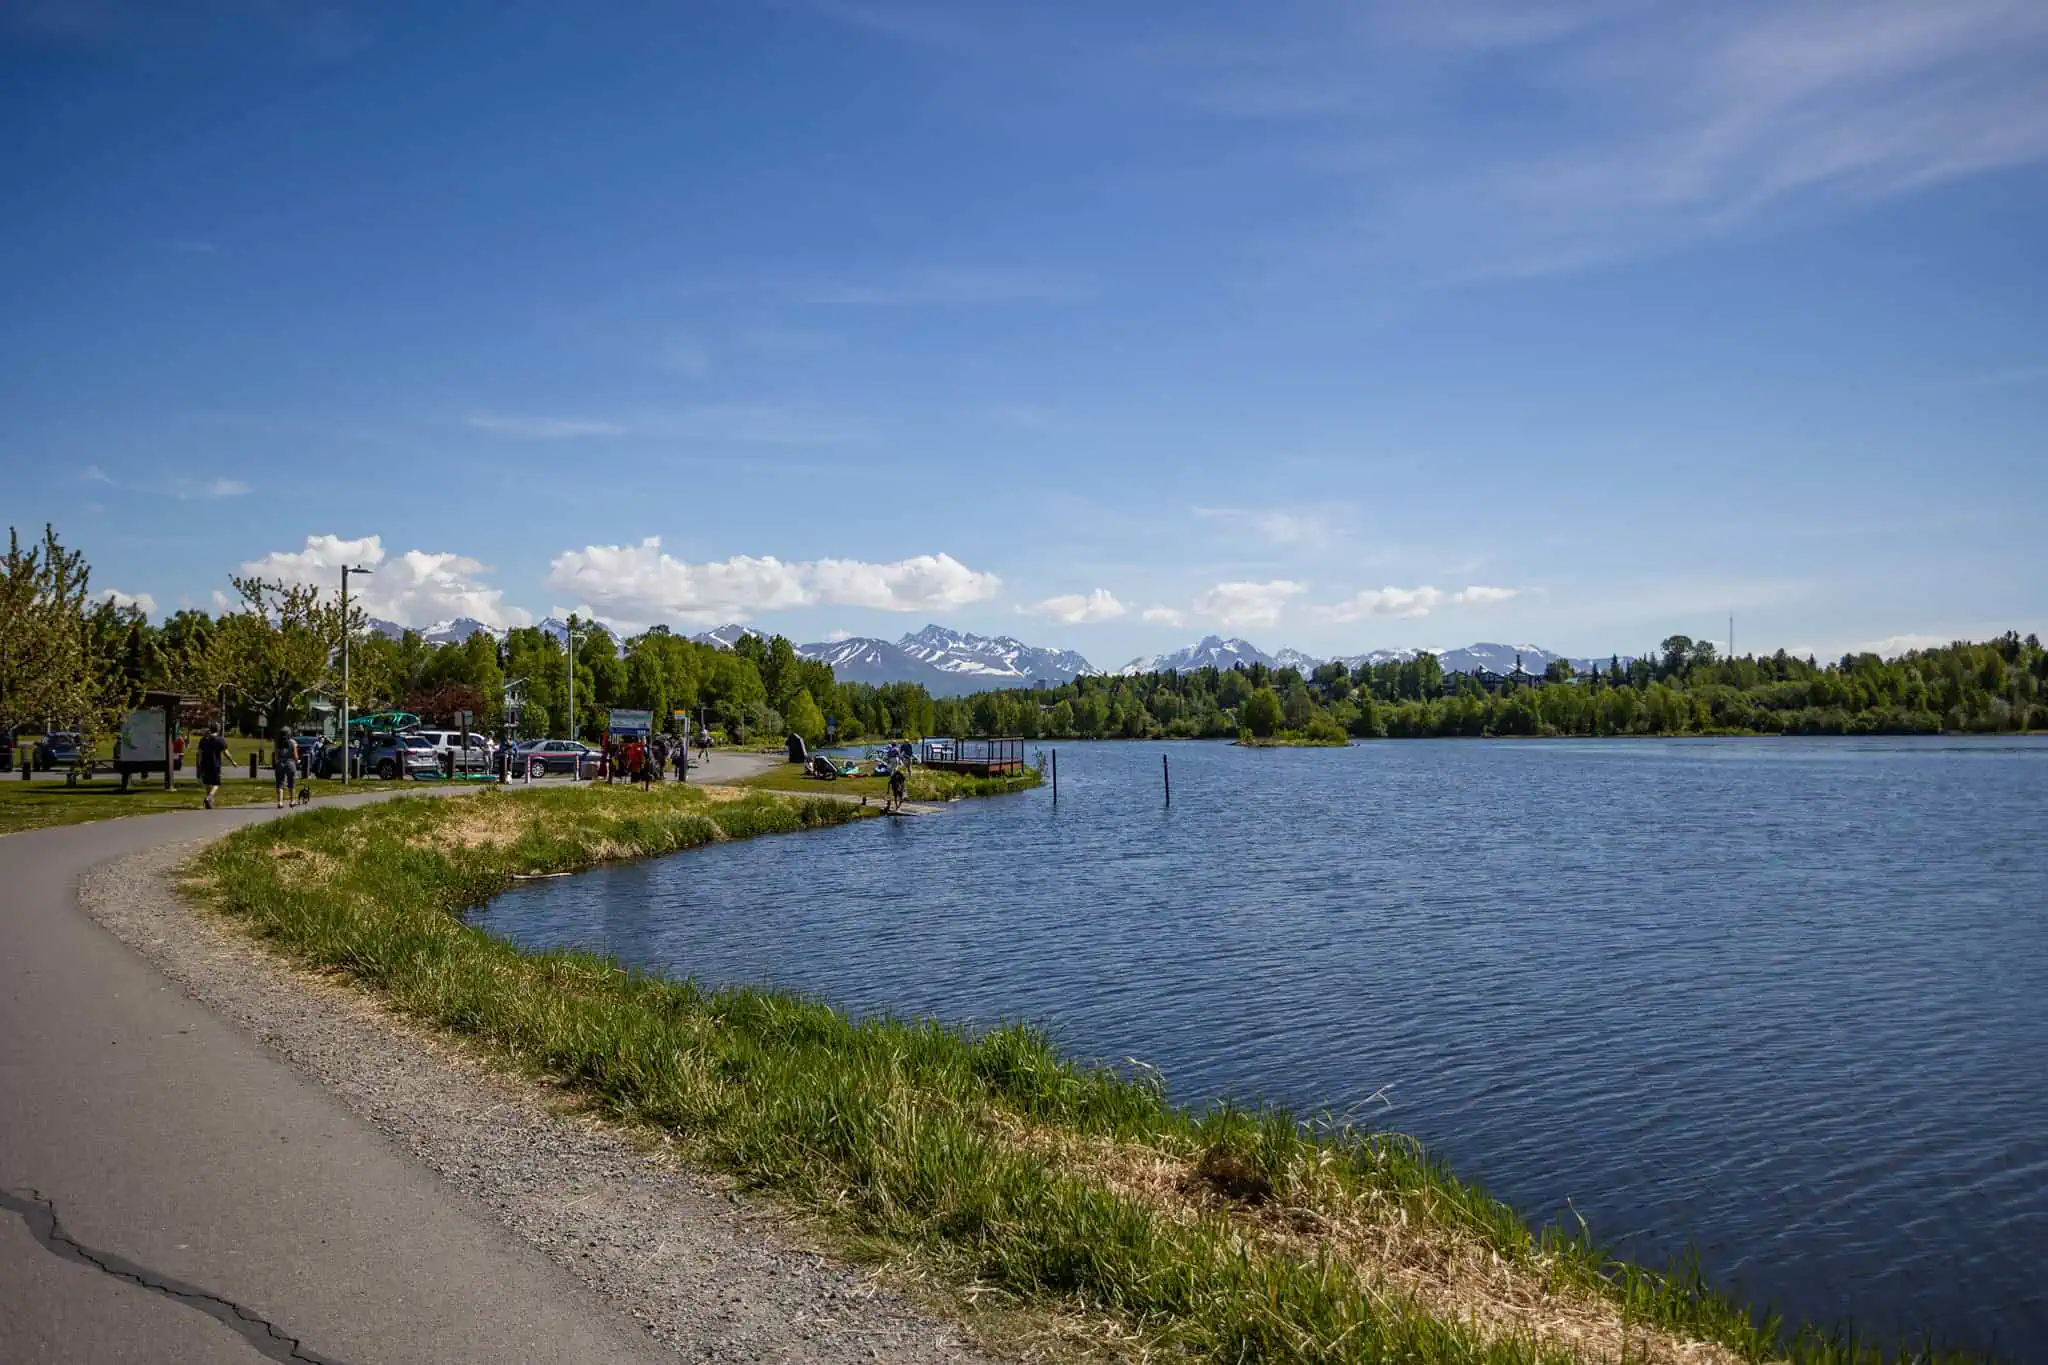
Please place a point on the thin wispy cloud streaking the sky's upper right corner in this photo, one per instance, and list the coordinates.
(1740, 118)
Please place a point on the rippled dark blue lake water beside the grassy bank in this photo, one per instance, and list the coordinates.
(1785, 1002)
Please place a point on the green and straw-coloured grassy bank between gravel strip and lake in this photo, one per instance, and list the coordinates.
(1070, 1194)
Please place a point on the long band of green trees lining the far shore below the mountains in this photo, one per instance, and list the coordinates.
(77, 662)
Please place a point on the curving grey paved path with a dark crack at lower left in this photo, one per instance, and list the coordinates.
(171, 1192)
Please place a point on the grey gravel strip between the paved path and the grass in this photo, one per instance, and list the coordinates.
(708, 1274)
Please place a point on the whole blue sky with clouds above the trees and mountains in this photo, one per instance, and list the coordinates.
(1326, 324)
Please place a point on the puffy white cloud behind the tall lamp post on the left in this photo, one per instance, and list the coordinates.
(415, 588)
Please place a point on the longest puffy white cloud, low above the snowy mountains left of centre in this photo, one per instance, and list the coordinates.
(642, 582)
